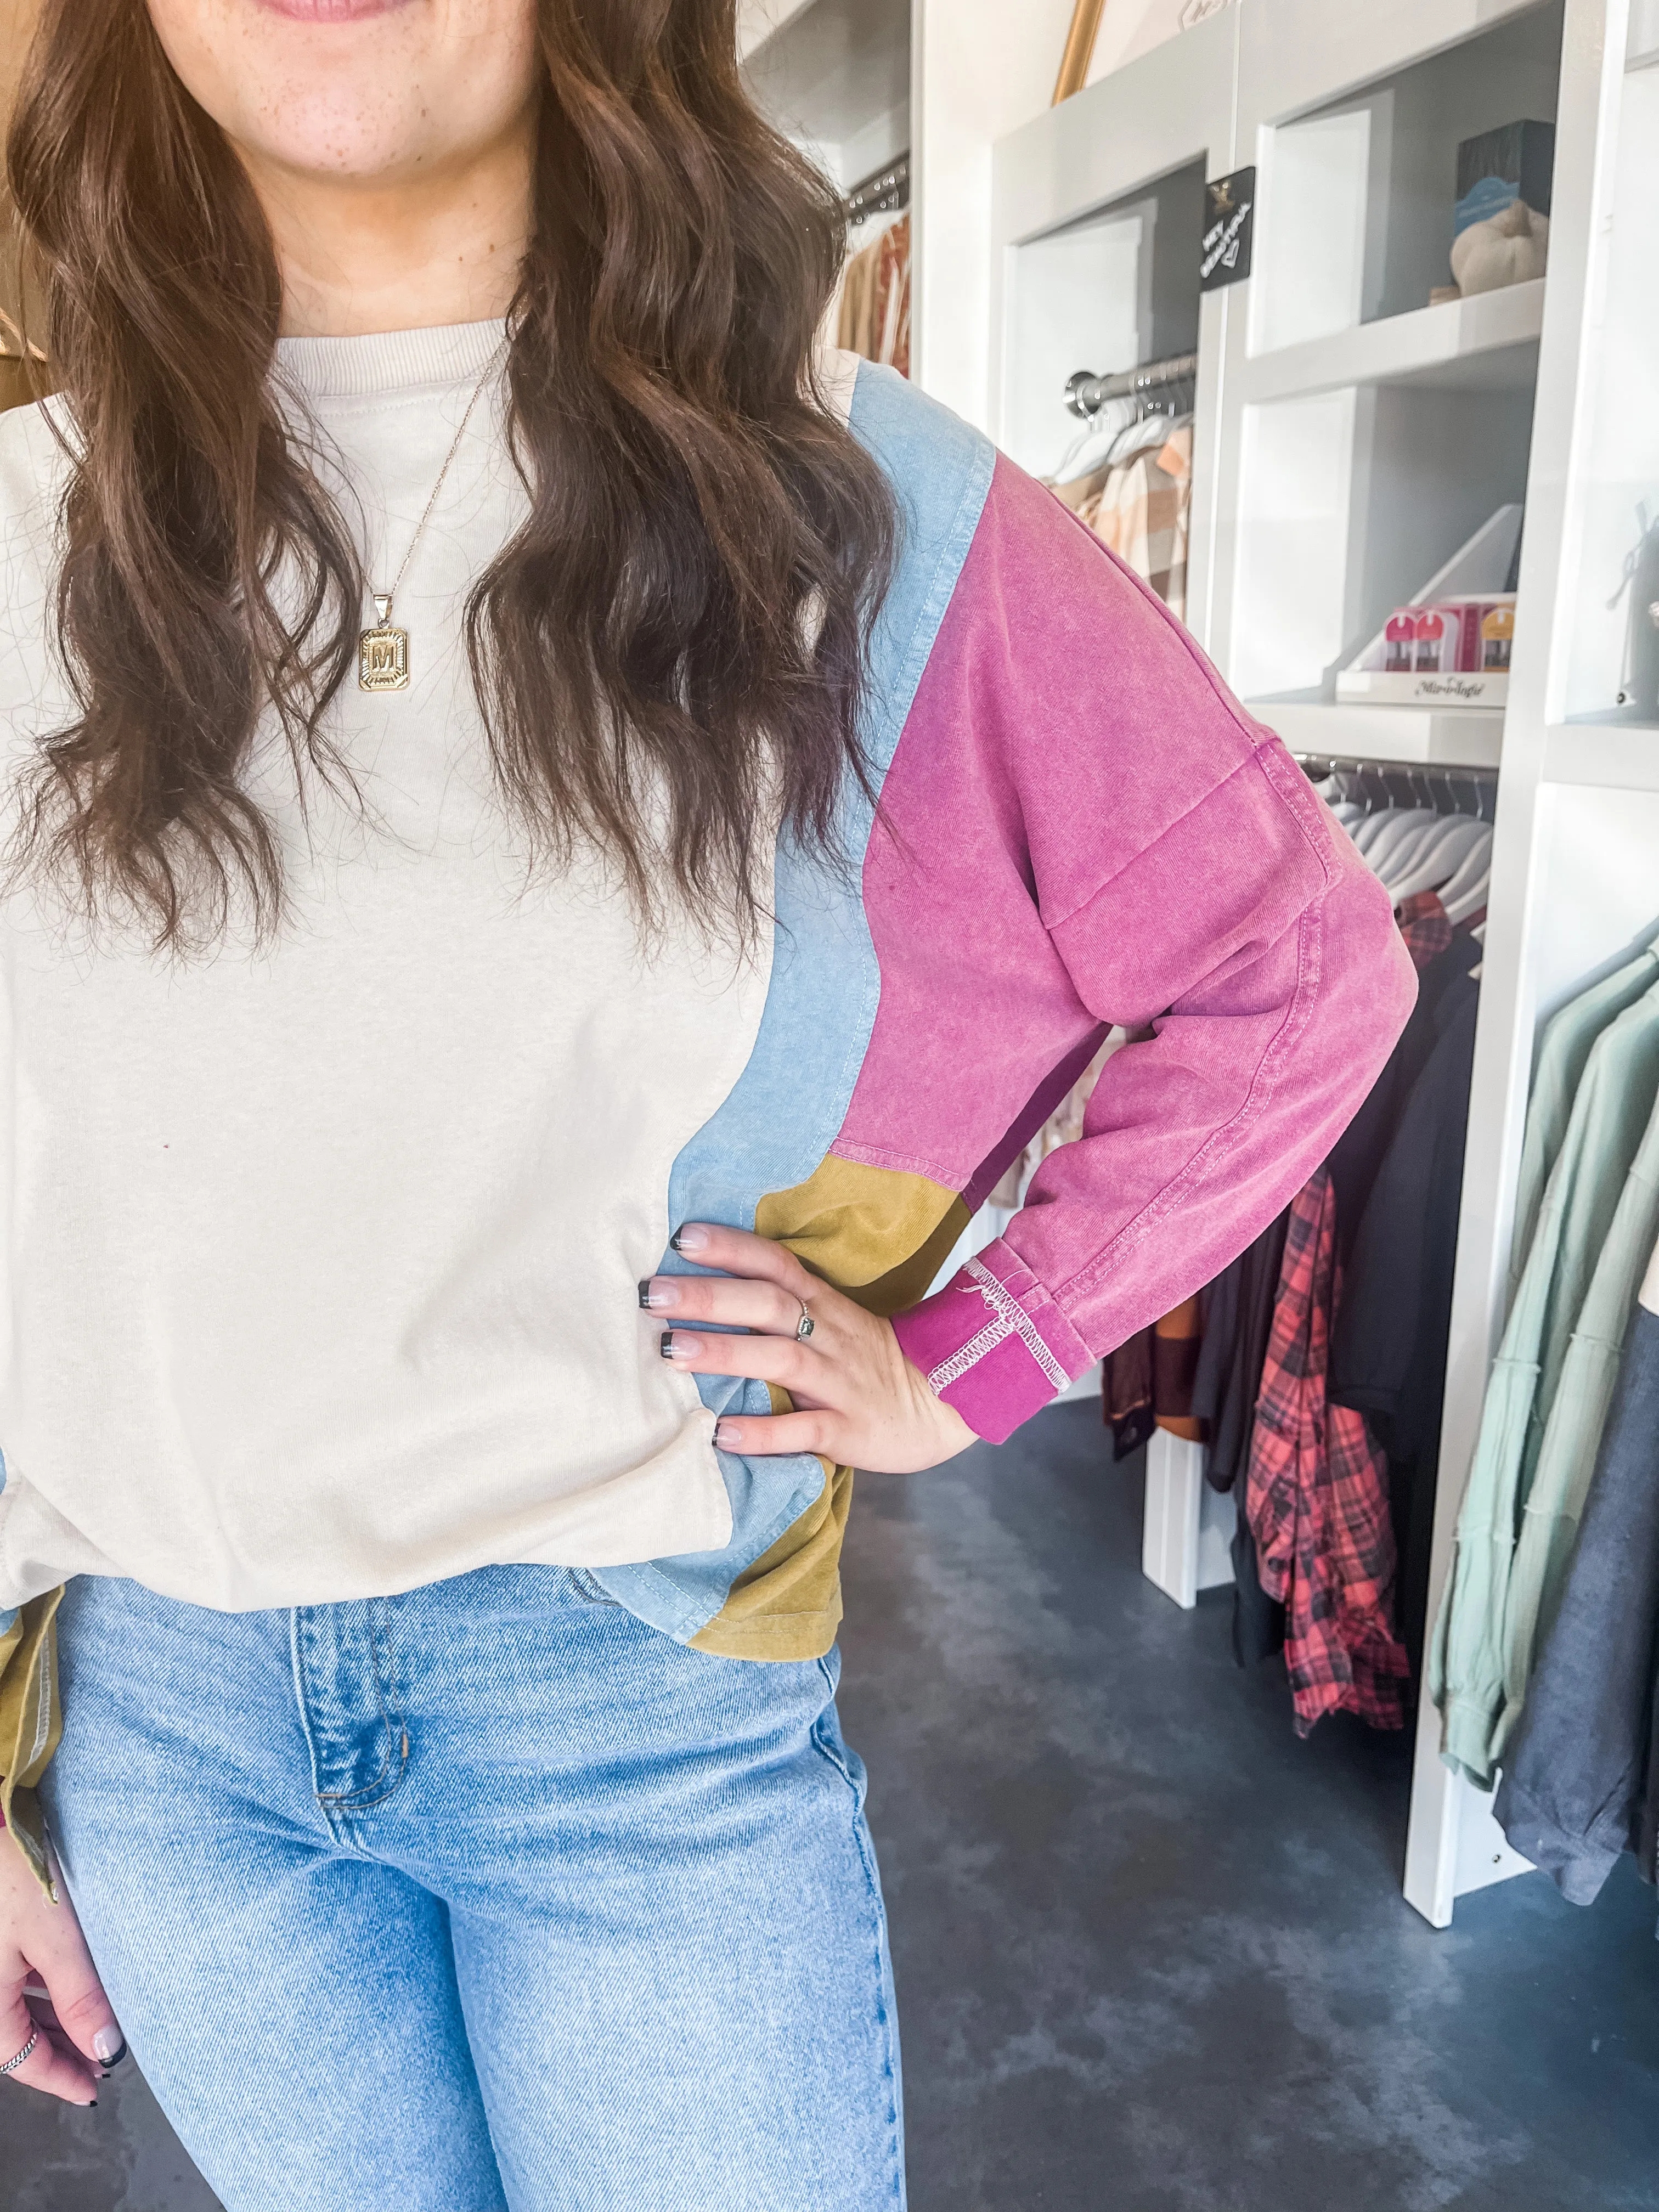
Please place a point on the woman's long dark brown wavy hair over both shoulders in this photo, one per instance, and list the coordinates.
(674, 649)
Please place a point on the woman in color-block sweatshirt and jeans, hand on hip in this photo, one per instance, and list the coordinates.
(543, 822)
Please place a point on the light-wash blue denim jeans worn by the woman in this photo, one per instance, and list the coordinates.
(486, 1897)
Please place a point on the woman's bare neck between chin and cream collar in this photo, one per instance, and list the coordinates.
(410, 253)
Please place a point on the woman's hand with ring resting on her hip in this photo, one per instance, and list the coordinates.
(857, 1399)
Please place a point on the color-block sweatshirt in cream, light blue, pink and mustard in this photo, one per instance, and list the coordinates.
(320, 1262)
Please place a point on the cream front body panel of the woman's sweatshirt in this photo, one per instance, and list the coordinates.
(322, 1260)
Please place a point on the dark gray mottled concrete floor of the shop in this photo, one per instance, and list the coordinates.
(1151, 1950)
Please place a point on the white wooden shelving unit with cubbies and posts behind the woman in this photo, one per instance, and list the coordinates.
(1350, 439)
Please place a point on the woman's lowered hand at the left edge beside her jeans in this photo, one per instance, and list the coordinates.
(43, 1948)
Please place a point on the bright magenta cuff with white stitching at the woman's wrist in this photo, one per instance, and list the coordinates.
(992, 1344)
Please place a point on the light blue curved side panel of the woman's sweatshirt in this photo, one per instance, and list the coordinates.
(786, 1109)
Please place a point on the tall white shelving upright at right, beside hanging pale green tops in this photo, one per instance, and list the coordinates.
(1576, 870)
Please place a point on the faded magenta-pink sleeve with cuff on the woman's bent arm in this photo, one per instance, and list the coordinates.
(1260, 950)
